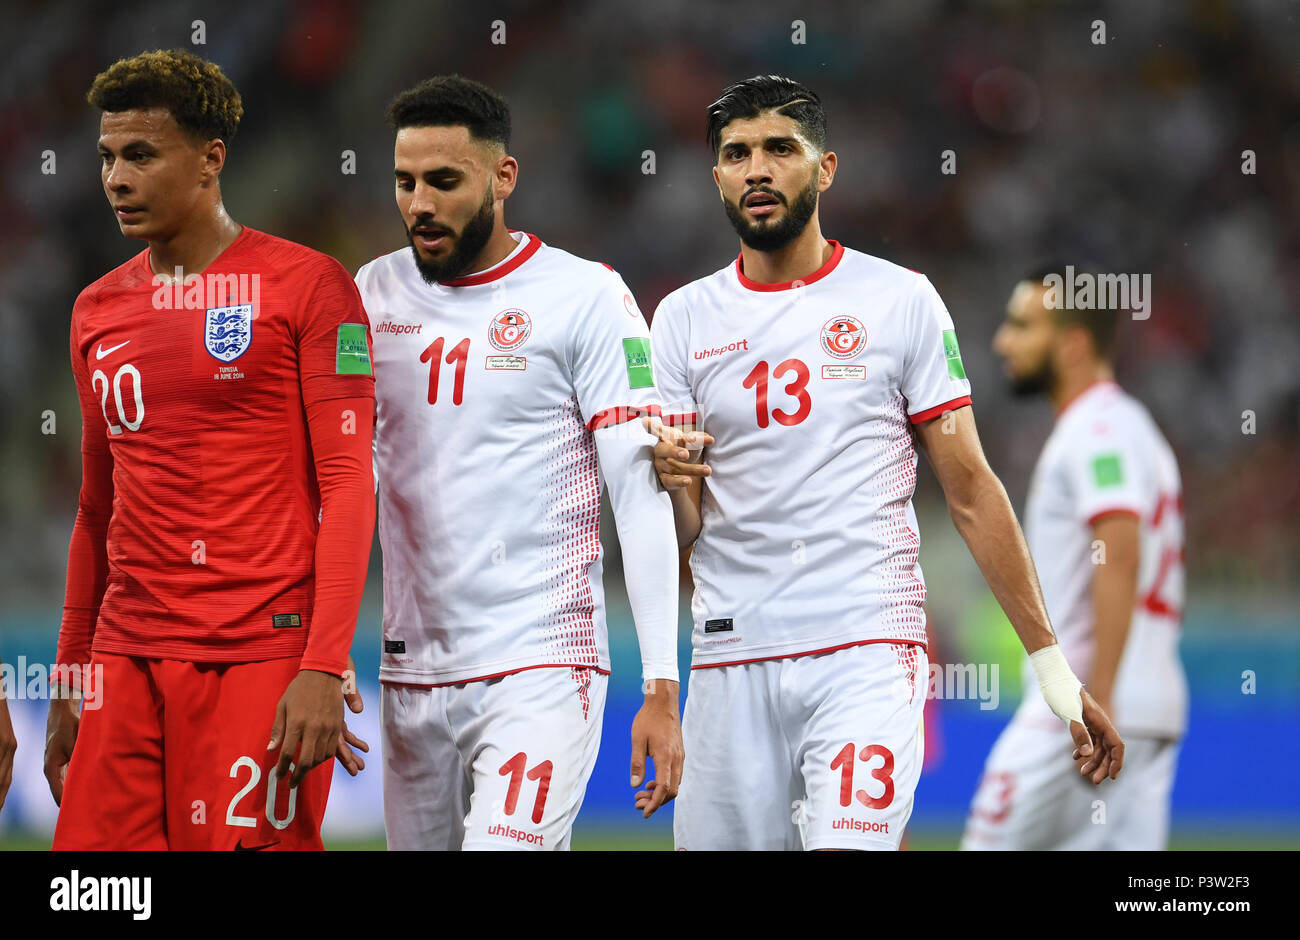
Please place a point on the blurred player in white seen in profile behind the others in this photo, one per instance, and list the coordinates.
(1104, 523)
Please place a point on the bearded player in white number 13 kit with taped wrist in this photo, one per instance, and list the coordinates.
(814, 374)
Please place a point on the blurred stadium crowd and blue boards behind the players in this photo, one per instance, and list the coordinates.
(1129, 153)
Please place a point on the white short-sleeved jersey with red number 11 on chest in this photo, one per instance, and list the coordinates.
(489, 391)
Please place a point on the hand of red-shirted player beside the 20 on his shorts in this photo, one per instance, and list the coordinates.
(309, 721)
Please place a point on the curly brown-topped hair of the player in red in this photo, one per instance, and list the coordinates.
(196, 92)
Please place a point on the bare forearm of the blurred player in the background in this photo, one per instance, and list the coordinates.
(1115, 595)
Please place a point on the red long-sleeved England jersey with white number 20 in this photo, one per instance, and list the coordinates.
(198, 463)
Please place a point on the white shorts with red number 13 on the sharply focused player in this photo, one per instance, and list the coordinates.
(816, 752)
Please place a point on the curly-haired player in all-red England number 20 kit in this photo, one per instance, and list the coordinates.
(227, 506)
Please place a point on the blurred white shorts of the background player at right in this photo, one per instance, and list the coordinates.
(1033, 796)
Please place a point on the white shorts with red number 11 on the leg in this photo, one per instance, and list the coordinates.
(497, 764)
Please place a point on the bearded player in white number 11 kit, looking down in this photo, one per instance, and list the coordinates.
(512, 384)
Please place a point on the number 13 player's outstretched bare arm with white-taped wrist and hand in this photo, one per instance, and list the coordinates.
(986, 521)
